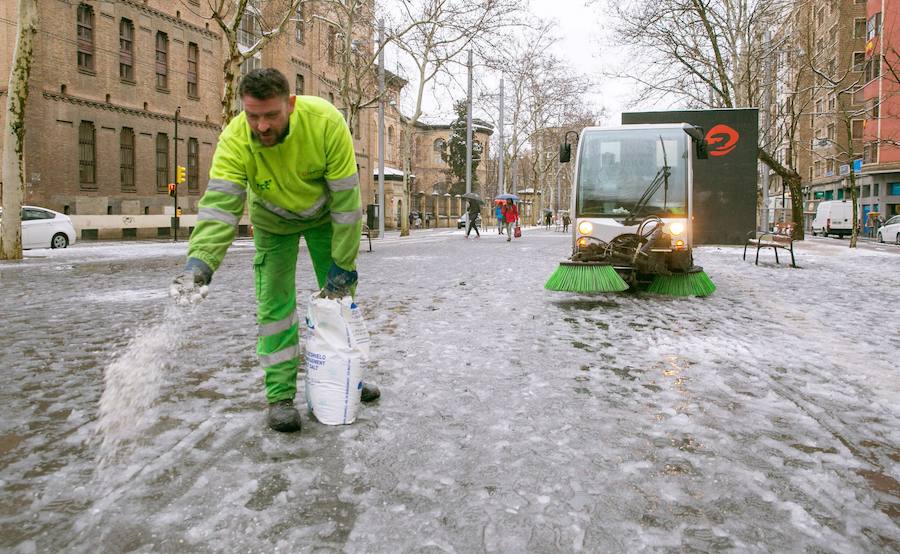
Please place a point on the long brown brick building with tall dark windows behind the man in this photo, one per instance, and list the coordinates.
(107, 80)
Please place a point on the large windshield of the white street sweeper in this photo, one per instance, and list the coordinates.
(616, 168)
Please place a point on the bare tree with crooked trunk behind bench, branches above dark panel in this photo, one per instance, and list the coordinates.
(709, 55)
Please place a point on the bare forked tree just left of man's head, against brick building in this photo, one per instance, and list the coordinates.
(247, 27)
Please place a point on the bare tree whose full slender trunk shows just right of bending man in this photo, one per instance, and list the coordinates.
(440, 30)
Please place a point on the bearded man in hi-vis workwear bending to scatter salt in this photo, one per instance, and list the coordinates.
(293, 156)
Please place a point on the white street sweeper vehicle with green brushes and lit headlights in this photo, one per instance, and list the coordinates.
(632, 202)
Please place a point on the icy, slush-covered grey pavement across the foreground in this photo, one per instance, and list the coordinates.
(763, 418)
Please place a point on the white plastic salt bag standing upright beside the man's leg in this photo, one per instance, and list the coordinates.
(337, 345)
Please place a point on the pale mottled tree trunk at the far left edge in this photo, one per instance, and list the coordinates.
(13, 171)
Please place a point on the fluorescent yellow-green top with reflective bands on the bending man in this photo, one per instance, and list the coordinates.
(304, 181)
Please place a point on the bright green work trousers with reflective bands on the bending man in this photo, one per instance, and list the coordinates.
(275, 275)
